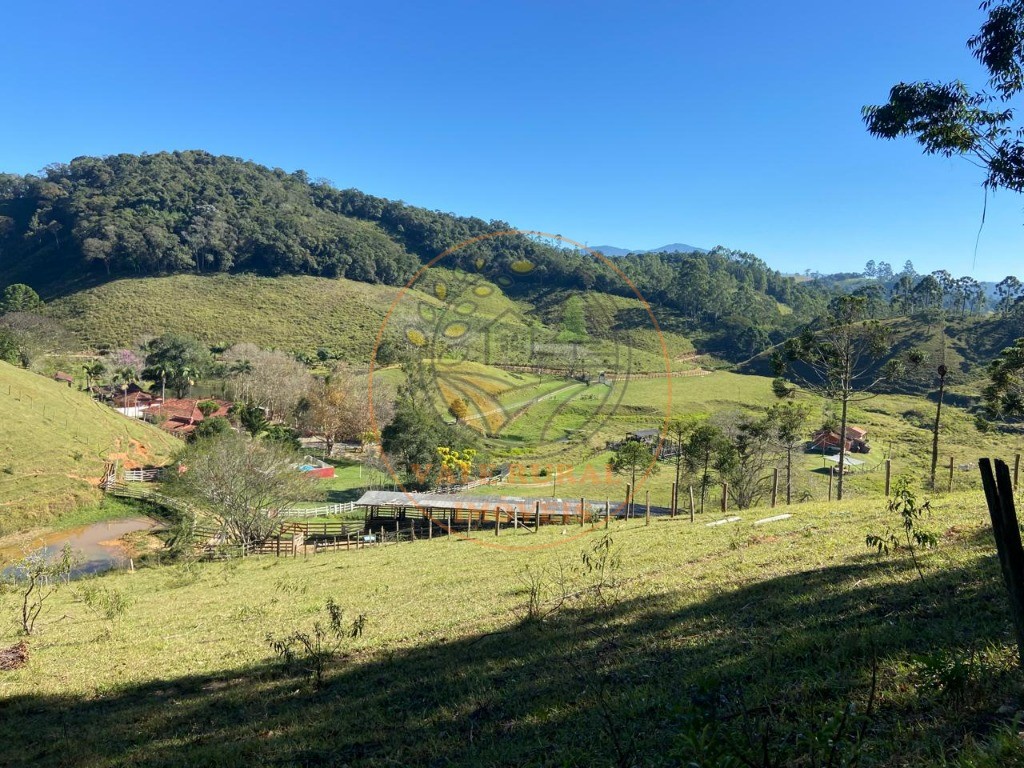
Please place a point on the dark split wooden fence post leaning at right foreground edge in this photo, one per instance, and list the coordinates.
(1000, 495)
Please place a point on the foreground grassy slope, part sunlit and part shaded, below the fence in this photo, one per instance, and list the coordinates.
(783, 620)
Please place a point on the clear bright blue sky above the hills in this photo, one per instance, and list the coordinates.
(631, 124)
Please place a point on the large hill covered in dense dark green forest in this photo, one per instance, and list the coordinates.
(96, 220)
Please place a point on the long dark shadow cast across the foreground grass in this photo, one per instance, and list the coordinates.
(643, 681)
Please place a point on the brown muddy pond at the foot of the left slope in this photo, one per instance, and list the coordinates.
(98, 547)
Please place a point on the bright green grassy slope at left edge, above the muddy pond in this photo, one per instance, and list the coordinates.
(54, 444)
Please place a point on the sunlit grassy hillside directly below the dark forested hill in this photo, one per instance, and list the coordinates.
(302, 314)
